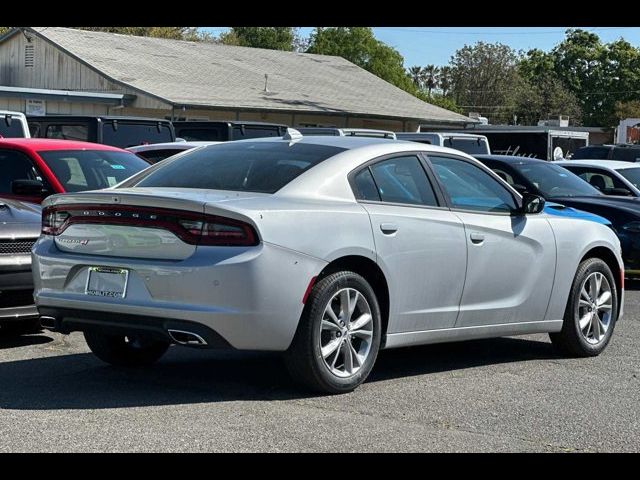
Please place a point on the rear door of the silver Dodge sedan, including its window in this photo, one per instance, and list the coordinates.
(420, 244)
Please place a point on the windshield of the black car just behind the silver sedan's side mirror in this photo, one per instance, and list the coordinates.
(555, 181)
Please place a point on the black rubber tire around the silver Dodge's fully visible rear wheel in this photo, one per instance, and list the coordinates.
(304, 357)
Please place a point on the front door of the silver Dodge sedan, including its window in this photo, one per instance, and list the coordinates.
(511, 257)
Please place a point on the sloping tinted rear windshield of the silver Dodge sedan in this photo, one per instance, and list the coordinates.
(241, 166)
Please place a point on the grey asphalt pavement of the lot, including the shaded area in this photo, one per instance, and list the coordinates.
(507, 394)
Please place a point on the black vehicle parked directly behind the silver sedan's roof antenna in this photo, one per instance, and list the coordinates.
(213, 131)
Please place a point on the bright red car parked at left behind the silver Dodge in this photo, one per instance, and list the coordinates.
(33, 168)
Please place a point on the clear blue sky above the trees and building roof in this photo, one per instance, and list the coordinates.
(435, 45)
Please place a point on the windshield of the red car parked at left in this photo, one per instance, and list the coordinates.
(79, 170)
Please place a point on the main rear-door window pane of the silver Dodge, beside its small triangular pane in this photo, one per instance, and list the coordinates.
(403, 180)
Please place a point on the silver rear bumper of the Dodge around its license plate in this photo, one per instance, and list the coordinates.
(249, 296)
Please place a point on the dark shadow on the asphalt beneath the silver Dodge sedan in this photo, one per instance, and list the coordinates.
(184, 376)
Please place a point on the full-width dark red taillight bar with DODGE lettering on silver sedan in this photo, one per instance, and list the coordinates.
(190, 227)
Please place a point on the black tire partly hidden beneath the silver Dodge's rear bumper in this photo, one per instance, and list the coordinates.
(123, 351)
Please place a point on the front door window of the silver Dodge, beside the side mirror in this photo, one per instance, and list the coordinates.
(471, 188)
